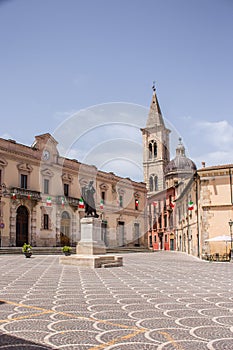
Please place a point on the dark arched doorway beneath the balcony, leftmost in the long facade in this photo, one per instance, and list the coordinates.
(21, 226)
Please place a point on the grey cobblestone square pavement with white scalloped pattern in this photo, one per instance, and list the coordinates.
(156, 301)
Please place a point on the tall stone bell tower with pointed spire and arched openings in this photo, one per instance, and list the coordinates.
(156, 154)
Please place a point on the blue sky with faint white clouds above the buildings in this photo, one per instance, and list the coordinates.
(60, 57)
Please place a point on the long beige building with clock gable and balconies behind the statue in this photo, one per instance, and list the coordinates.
(41, 198)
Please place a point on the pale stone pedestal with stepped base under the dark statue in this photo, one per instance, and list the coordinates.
(91, 250)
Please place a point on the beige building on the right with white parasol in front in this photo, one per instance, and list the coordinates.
(211, 192)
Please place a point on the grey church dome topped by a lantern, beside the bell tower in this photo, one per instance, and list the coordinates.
(181, 165)
